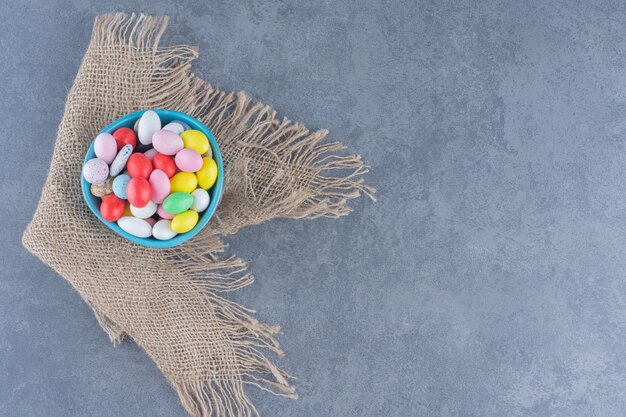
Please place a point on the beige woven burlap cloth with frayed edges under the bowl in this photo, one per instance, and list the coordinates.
(171, 302)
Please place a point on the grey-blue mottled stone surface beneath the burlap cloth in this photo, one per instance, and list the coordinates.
(487, 281)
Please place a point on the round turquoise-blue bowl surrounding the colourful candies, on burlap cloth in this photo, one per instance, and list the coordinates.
(215, 192)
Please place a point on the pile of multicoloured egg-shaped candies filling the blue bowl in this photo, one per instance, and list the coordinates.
(165, 183)
